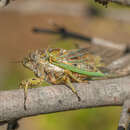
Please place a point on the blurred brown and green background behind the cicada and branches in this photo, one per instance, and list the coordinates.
(18, 23)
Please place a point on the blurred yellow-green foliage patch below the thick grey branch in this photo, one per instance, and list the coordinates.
(85, 119)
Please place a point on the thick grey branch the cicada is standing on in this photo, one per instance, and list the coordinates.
(43, 100)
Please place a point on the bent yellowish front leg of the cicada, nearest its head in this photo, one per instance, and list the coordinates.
(29, 84)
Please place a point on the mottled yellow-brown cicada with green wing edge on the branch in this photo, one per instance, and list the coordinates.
(59, 66)
